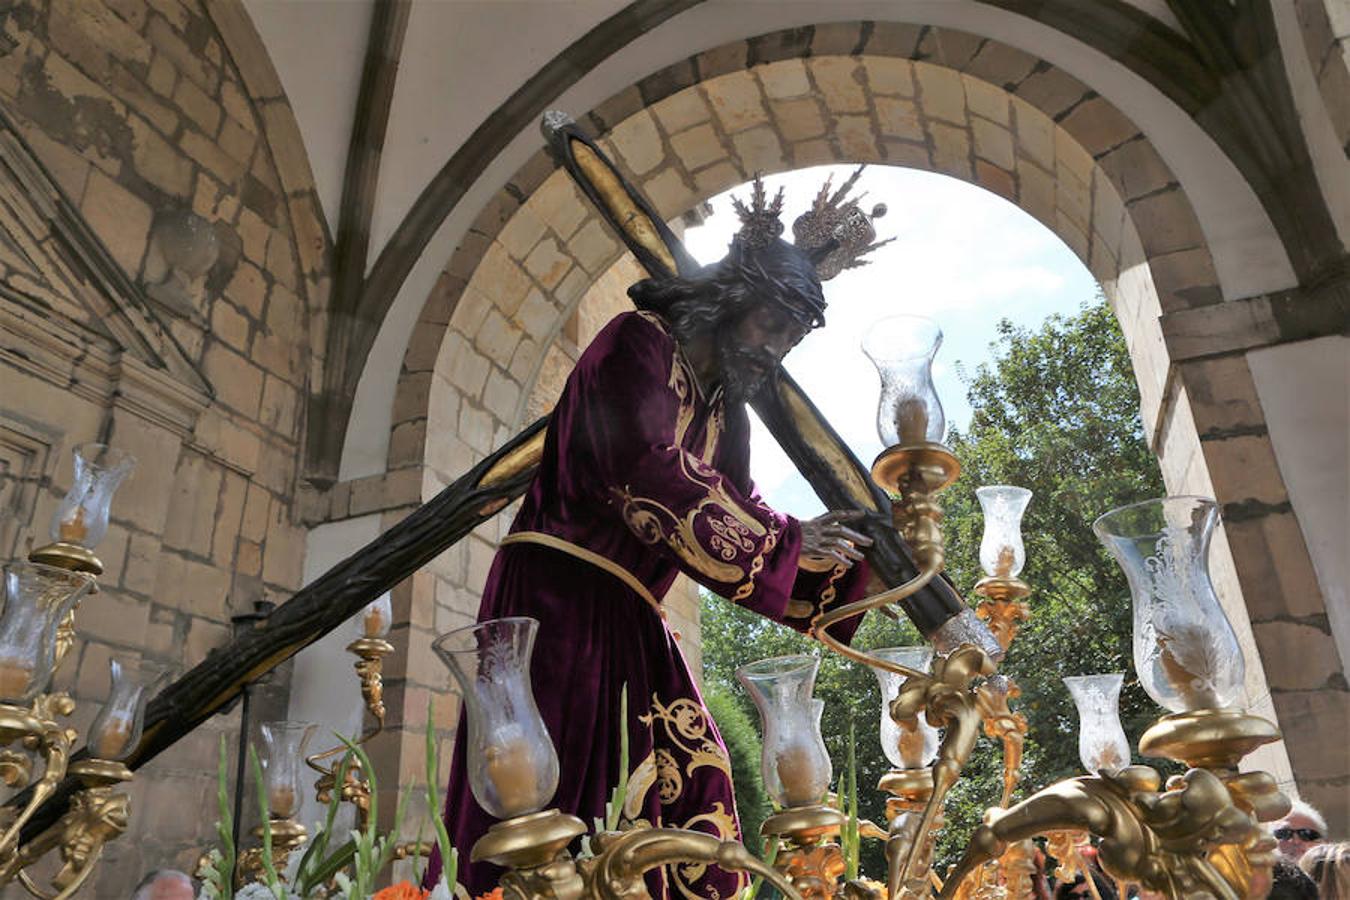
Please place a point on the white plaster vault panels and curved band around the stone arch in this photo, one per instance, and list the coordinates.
(462, 59)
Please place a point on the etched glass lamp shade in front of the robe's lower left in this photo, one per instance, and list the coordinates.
(512, 762)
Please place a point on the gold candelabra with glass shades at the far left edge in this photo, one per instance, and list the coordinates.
(37, 748)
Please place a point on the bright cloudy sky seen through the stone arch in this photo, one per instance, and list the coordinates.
(962, 257)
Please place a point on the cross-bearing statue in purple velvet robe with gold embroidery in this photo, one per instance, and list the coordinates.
(645, 476)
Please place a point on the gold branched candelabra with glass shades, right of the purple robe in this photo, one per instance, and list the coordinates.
(1197, 835)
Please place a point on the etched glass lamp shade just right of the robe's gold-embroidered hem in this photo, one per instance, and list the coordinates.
(796, 766)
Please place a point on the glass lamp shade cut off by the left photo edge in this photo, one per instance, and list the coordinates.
(37, 598)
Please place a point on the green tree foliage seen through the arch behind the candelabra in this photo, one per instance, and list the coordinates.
(1056, 411)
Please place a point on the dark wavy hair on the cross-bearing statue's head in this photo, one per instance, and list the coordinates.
(723, 292)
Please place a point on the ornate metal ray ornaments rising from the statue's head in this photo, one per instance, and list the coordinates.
(835, 233)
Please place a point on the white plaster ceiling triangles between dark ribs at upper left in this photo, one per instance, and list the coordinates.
(461, 60)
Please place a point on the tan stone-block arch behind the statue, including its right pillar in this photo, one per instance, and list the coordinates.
(989, 114)
